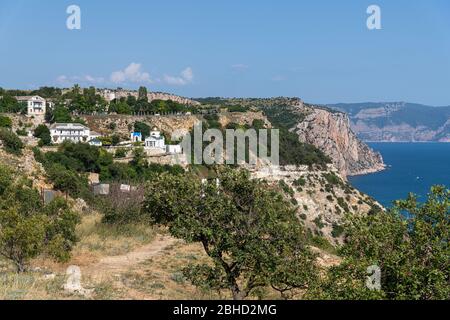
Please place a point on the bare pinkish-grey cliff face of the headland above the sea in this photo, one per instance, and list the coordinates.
(331, 133)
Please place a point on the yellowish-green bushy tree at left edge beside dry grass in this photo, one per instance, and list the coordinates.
(28, 229)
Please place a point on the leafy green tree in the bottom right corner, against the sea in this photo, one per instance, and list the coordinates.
(410, 245)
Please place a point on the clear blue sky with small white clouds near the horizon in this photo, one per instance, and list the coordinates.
(318, 50)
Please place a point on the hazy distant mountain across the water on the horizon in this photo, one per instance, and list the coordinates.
(397, 121)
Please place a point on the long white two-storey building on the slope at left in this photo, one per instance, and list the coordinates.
(73, 132)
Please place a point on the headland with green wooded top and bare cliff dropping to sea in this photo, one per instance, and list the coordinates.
(326, 129)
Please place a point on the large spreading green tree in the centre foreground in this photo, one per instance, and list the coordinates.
(248, 229)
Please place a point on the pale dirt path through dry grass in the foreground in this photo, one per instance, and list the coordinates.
(115, 265)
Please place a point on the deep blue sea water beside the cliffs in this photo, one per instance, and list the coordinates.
(413, 167)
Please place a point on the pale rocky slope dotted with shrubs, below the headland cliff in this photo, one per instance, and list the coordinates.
(322, 197)
